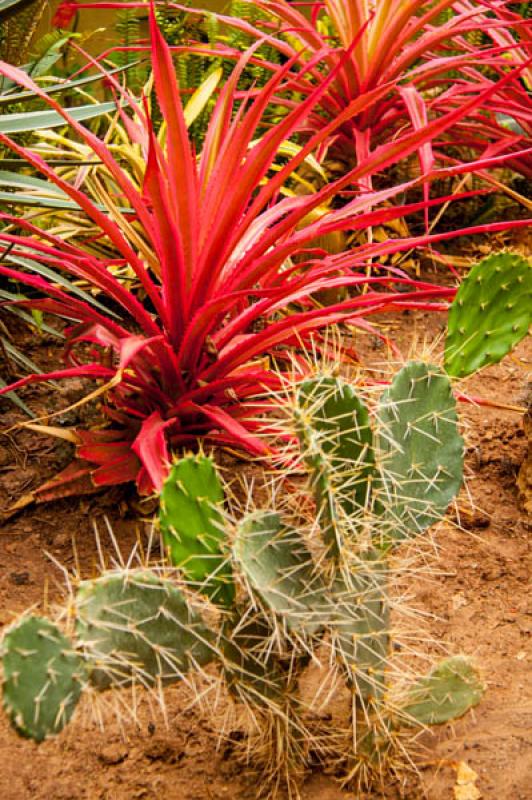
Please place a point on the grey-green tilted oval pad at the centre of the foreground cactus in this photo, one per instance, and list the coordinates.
(278, 567)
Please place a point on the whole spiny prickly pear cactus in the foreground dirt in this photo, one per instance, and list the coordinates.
(285, 591)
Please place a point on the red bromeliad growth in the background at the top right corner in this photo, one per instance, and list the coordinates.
(425, 54)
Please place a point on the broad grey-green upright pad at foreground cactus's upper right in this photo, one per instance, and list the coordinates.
(421, 450)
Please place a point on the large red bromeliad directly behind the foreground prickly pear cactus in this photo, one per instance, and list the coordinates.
(189, 351)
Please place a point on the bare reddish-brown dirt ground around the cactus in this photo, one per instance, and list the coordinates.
(478, 599)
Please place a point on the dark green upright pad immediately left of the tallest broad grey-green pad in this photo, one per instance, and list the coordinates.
(337, 443)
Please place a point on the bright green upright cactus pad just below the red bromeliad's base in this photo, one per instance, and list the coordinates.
(192, 526)
